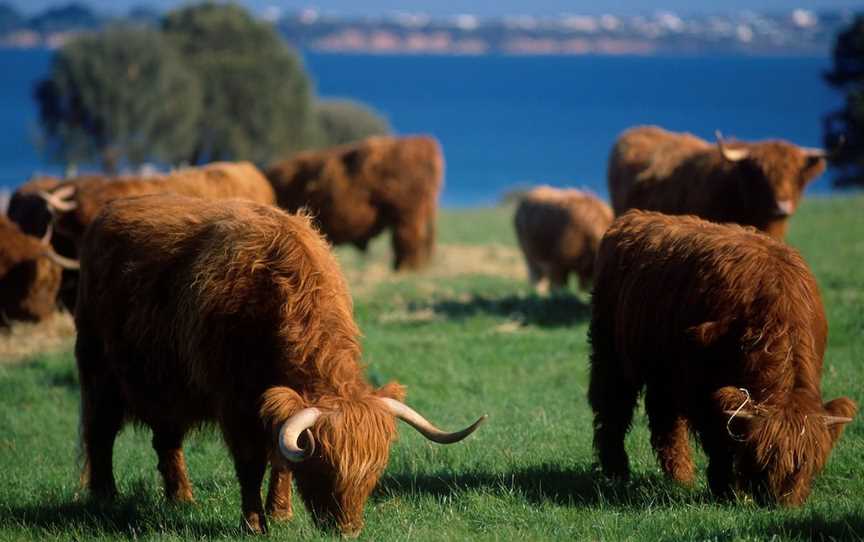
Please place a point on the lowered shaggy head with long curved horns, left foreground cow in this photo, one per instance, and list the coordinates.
(338, 447)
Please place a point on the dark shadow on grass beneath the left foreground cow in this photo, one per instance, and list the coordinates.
(133, 514)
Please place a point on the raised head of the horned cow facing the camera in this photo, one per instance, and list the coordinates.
(771, 177)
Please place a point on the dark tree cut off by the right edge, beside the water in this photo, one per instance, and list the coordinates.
(844, 129)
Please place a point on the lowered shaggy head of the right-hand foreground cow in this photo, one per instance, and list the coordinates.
(779, 450)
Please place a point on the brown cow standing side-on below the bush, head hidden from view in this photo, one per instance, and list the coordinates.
(356, 191)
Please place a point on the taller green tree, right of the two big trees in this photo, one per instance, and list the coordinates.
(256, 95)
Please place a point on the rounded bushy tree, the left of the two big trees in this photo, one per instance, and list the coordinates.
(118, 96)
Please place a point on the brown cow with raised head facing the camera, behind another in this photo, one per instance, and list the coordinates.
(754, 184)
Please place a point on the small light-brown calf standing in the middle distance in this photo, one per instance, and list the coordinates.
(559, 232)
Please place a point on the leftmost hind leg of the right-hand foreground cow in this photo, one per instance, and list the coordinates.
(612, 397)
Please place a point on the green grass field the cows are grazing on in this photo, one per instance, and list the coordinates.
(467, 338)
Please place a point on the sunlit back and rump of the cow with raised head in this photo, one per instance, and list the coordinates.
(646, 154)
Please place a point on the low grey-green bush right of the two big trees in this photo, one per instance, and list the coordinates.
(345, 121)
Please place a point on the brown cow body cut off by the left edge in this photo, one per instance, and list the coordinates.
(28, 281)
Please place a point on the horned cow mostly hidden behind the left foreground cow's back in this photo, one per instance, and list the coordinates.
(76, 203)
